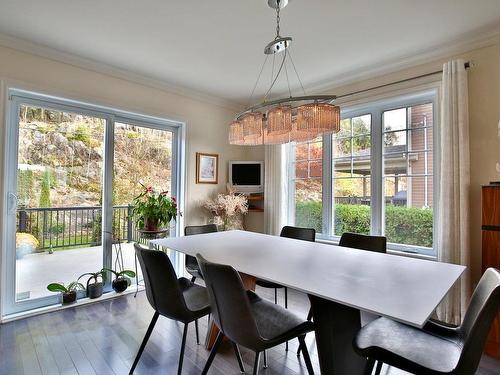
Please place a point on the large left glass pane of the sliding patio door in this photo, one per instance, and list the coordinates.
(60, 196)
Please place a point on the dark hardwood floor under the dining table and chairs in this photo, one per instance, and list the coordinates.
(103, 338)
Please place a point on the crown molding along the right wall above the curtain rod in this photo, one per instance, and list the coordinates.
(480, 38)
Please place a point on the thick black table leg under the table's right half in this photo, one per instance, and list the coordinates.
(335, 327)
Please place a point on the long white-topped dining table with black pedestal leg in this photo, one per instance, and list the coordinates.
(339, 281)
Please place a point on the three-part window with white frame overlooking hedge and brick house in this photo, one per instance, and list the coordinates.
(375, 176)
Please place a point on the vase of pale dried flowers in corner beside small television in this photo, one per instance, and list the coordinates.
(228, 209)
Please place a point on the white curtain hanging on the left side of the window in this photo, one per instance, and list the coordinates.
(275, 189)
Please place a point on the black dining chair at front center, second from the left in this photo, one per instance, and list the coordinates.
(248, 320)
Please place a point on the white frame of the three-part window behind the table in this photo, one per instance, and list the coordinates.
(375, 108)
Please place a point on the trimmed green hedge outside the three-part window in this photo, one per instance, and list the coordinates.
(406, 225)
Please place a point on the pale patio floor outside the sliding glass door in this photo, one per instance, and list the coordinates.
(35, 271)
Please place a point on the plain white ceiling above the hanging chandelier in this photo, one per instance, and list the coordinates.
(216, 46)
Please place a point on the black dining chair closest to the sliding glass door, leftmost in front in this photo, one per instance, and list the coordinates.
(177, 299)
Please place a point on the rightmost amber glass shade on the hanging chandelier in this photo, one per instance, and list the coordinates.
(317, 118)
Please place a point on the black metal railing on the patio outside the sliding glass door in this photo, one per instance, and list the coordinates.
(57, 227)
